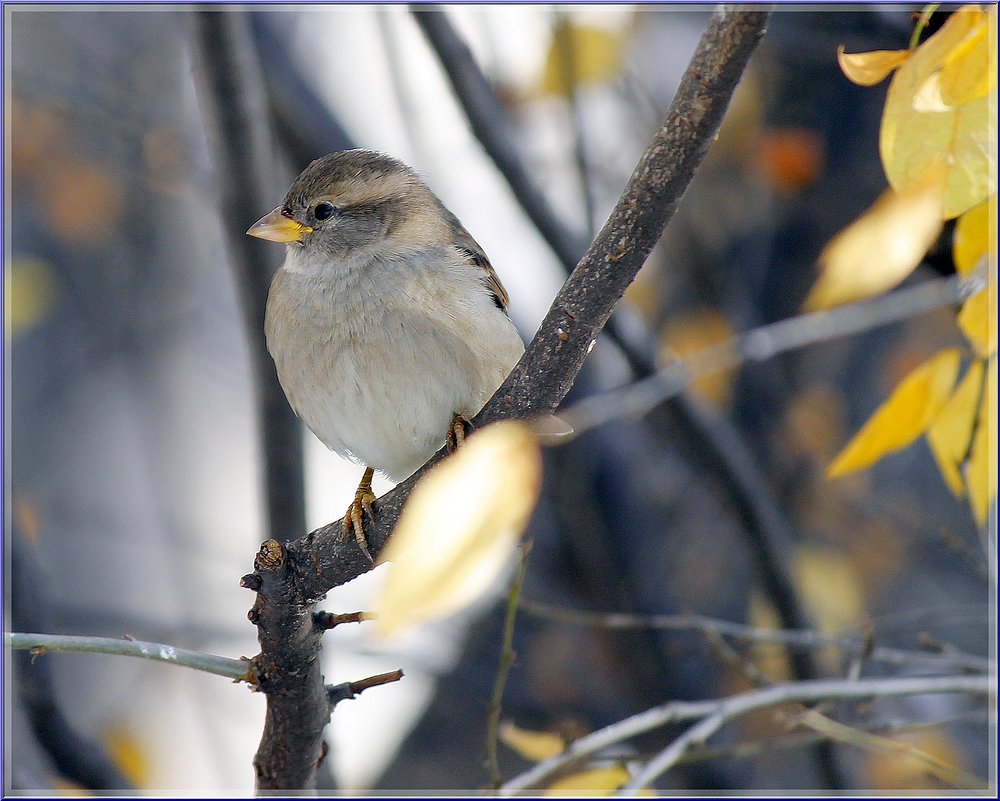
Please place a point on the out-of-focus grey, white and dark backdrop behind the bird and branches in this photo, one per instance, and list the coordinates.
(143, 141)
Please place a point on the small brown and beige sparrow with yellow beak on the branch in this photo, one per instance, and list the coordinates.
(387, 324)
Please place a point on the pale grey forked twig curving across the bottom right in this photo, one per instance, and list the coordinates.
(714, 713)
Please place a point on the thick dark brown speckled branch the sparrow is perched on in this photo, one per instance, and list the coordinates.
(292, 577)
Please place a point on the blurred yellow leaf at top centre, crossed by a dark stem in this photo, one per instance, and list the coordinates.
(581, 54)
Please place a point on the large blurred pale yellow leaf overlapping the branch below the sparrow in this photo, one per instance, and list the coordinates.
(460, 526)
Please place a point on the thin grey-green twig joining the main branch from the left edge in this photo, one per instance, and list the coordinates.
(236, 669)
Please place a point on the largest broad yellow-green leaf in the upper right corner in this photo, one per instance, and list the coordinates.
(920, 132)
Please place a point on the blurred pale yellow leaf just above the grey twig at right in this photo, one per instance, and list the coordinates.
(880, 248)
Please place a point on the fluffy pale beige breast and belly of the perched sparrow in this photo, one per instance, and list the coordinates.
(377, 364)
